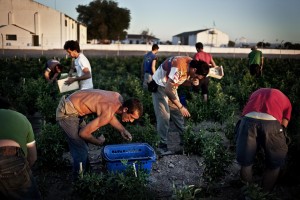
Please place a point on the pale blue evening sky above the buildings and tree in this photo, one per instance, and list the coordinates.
(272, 21)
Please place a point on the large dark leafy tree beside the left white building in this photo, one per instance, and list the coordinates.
(104, 19)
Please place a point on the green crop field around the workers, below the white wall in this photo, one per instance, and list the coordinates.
(172, 176)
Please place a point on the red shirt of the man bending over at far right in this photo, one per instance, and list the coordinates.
(270, 101)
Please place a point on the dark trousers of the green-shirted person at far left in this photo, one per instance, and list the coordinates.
(16, 179)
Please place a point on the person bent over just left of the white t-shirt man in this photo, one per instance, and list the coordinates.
(52, 70)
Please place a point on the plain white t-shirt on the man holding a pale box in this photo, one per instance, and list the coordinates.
(80, 63)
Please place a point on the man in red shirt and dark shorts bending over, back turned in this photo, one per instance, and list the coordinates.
(265, 119)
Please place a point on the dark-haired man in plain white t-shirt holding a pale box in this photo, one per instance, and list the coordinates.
(82, 66)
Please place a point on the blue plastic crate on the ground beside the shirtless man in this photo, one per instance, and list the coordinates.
(141, 154)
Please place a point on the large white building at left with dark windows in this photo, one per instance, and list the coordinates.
(26, 23)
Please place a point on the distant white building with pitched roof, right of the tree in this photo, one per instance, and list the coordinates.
(209, 37)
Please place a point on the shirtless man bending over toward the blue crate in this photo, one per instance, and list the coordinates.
(105, 105)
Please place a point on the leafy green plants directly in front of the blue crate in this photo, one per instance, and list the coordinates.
(124, 186)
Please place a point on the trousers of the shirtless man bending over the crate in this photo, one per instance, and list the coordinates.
(78, 147)
